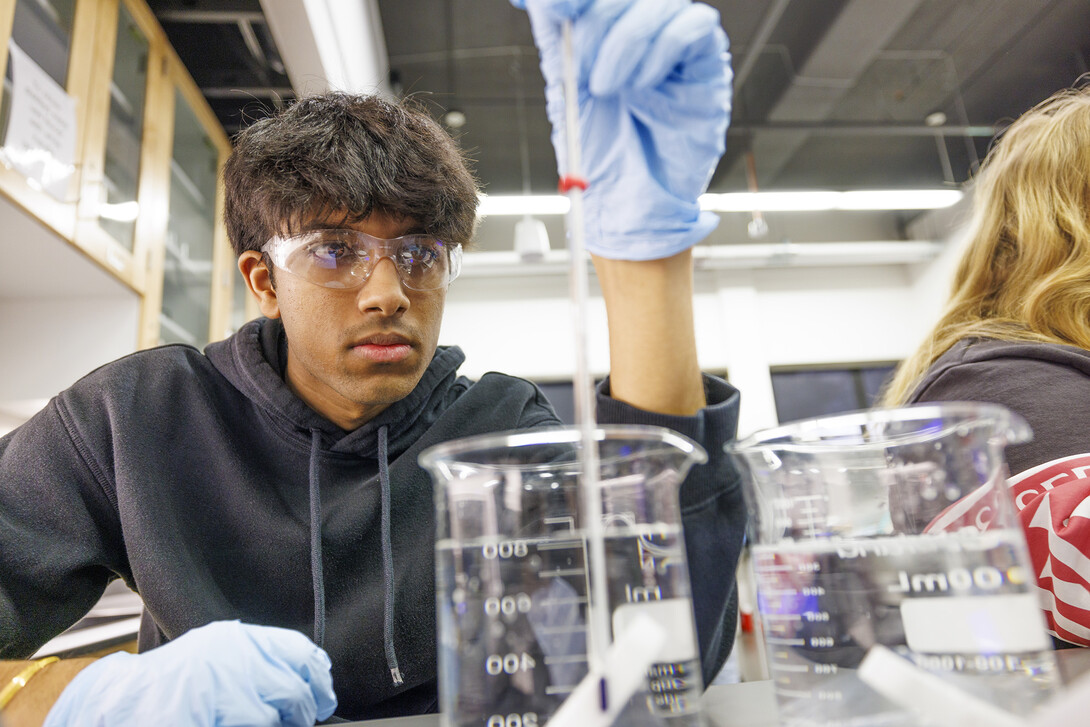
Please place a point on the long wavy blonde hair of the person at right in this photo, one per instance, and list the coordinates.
(1026, 273)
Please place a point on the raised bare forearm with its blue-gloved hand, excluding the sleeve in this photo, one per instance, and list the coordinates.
(655, 95)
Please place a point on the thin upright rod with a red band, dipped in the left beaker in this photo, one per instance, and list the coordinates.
(599, 629)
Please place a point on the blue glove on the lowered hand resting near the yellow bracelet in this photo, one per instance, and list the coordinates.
(225, 674)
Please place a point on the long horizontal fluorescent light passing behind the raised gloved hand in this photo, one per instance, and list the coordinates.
(747, 202)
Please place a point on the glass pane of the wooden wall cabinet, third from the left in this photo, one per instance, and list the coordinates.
(188, 268)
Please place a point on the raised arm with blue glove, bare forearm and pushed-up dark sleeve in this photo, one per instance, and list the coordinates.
(655, 98)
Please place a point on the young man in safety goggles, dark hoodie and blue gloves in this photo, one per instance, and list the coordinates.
(264, 498)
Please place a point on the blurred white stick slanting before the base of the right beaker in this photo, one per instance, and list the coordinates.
(923, 693)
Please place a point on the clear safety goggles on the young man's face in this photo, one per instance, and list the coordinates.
(345, 259)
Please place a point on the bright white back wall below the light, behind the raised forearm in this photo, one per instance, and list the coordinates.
(747, 321)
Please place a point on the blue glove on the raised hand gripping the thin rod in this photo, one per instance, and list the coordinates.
(655, 86)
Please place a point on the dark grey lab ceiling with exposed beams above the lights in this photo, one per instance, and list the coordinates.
(829, 94)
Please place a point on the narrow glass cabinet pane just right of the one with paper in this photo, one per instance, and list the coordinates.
(117, 213)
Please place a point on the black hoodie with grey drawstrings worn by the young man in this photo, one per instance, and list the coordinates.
(217, 494)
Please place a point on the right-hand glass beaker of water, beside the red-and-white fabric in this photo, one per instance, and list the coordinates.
(893, 528)
